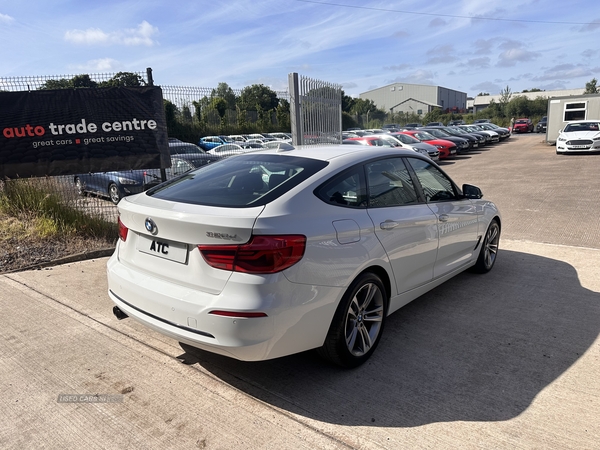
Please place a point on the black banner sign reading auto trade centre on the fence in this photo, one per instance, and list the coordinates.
(69, 131)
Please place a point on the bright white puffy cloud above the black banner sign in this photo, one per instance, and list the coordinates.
(142, 35)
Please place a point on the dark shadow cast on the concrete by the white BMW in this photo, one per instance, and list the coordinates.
(478, 348)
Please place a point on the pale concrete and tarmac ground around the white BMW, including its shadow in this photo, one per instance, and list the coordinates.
(505, 360)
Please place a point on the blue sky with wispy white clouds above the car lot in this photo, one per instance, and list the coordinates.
(472, 46)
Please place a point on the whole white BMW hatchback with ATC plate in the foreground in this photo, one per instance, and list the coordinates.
(275, 252)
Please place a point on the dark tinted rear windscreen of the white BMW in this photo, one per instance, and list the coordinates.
(239, 181)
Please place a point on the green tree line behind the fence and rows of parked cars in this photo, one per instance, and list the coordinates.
(257, 108)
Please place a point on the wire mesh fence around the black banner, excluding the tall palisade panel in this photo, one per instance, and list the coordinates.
(191, 113)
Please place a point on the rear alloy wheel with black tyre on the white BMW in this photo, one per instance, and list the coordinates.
(358, 323)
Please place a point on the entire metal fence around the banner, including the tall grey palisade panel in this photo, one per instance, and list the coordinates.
(311, 109)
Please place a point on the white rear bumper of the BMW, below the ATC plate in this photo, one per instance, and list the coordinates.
(297, 317)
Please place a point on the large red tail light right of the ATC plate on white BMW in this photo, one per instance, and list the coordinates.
(262, 254)
